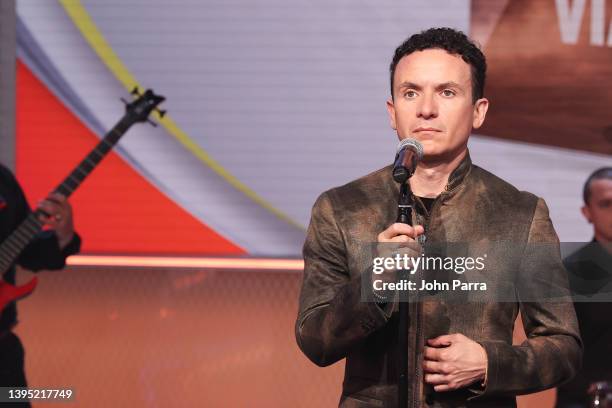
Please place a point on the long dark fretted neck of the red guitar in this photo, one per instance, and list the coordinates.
(12, 246)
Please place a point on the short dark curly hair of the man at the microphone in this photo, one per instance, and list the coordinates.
(453, 42)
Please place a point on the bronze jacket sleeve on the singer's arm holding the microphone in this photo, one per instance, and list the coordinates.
(332, 317)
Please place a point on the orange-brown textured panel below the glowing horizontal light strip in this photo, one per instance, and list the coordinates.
(153, 337)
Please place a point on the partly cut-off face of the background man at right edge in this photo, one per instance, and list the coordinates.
(599, 210)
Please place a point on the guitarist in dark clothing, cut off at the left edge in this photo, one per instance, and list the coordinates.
(49, 250)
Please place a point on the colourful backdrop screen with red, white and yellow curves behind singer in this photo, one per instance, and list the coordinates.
(272, 102)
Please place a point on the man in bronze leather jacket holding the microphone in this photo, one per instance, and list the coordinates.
(460, 354)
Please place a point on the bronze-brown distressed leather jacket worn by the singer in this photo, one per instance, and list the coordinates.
(334, 323)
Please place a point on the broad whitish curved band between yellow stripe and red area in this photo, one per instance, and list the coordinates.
(178, 174)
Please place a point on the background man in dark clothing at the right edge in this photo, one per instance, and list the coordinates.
(590, 277)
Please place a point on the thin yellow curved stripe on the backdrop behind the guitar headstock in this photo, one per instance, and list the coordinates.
(96, 40)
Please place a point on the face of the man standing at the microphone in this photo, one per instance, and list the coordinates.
(432, 103)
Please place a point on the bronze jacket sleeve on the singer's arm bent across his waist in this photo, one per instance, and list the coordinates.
(552, 353)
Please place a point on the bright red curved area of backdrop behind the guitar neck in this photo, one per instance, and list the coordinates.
(116, 209)
